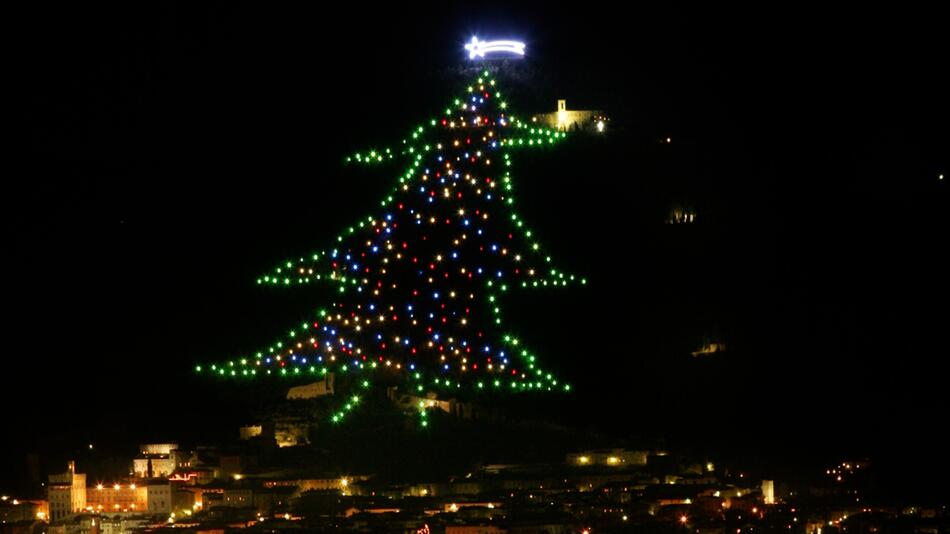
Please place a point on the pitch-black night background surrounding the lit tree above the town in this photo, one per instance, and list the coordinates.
(161, 158)
